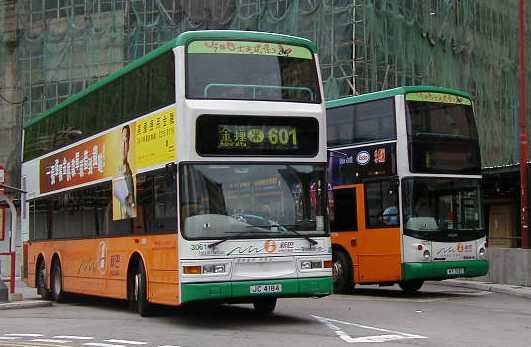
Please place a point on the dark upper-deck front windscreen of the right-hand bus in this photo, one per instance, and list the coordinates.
(442, 134)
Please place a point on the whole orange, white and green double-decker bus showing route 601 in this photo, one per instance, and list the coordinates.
(195, 173)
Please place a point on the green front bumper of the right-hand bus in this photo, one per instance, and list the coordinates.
(444, 270)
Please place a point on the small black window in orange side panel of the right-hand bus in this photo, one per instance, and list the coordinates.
(343, 216)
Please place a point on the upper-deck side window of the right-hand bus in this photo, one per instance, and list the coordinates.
(362, 122)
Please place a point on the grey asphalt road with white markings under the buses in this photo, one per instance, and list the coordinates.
(438, 316)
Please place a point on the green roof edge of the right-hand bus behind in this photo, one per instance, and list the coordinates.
(393, 92)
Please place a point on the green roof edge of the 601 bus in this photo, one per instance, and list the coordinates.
(180, 40)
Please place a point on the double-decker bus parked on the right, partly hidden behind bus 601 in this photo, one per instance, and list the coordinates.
(404, 188)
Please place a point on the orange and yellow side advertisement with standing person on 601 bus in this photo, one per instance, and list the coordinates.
(117, 154)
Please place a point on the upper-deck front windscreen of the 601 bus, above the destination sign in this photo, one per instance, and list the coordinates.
(249, 70)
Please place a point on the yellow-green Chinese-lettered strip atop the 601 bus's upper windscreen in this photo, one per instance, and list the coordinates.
(250, 48)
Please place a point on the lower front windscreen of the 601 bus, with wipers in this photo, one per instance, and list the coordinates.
(252, 201)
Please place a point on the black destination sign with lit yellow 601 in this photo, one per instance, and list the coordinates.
(242, 135)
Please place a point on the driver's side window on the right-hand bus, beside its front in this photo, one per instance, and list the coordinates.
(382, 204)
